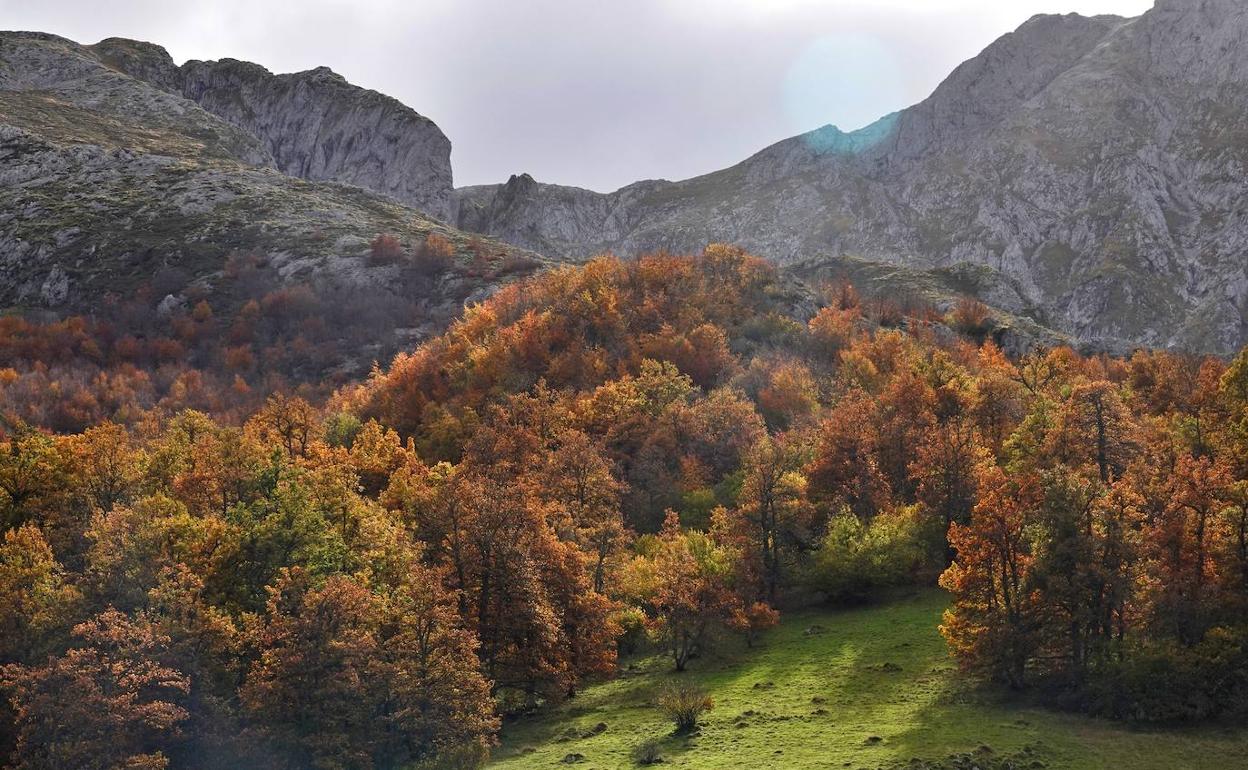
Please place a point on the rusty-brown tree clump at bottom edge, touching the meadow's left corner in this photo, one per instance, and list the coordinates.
(350, 678)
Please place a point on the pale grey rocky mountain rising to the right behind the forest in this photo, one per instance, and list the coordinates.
(1091, 169)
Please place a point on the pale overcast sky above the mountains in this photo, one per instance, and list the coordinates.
(590, 93)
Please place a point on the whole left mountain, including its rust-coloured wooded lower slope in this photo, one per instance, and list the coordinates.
(142, 230)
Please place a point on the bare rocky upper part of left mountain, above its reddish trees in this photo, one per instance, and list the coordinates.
(118, 167)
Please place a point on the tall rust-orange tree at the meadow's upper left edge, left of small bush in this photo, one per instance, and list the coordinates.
(527, 593)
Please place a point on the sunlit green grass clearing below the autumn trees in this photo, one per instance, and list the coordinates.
(865, 688)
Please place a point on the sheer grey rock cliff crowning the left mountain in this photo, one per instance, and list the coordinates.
(315, 125)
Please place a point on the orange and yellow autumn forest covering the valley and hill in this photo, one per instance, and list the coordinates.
(218, 556)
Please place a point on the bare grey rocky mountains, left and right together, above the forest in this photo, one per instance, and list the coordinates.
(1090, 169)
